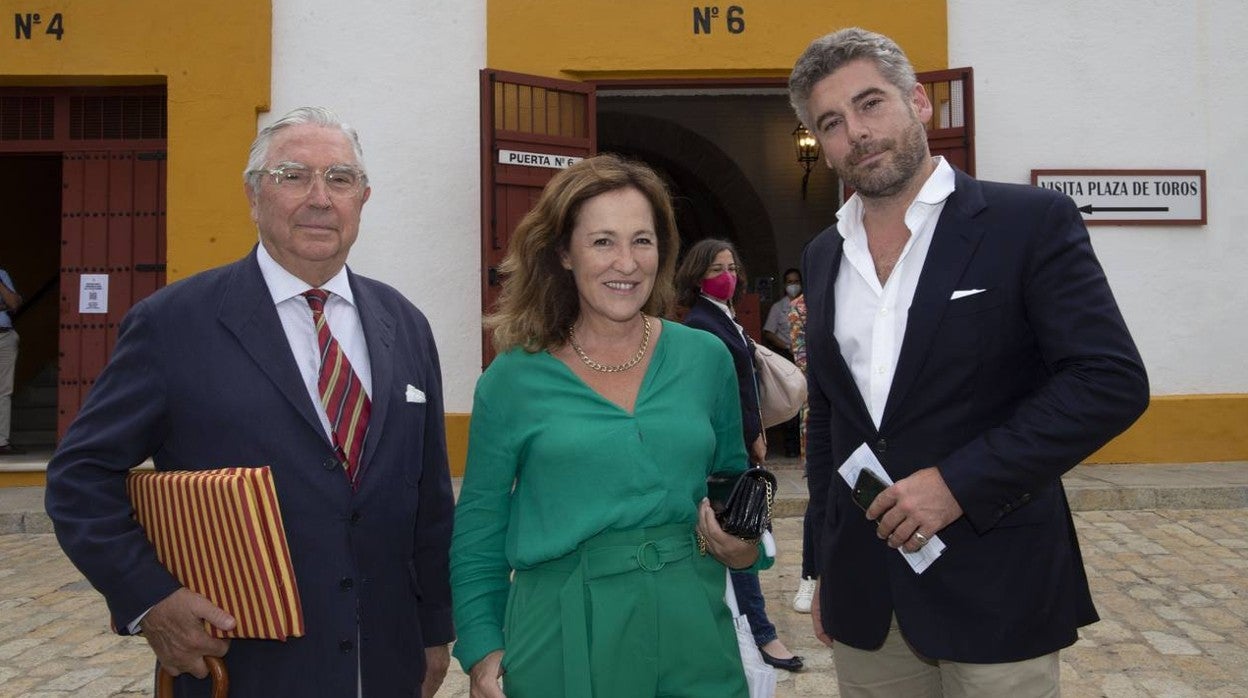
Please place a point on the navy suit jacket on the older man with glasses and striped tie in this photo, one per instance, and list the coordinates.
(203, 378)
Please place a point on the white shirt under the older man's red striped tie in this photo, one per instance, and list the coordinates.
(296, 317)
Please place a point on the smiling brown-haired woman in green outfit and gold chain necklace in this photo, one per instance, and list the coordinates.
(575, 566)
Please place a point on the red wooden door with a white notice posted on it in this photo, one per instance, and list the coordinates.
(113, 224)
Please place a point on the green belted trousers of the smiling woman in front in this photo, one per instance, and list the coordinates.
(628, 615)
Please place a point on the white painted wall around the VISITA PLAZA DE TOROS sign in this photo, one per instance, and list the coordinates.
(1130, 84)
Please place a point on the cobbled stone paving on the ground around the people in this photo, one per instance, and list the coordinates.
(1171, 585)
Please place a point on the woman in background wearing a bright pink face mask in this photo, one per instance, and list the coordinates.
(709, 280)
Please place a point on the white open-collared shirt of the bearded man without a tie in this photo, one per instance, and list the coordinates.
(872, 320)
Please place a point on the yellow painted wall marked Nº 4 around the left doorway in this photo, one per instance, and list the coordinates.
(215, 62)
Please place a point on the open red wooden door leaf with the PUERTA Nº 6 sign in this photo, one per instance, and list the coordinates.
(531, 125)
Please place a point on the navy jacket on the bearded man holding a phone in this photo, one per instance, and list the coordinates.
(1004, 391)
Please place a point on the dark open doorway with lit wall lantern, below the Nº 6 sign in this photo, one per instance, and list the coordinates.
(728, 154)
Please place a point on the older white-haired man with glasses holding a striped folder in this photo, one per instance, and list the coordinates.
(222, 370)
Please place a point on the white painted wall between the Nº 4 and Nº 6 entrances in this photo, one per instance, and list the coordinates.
(405, 74)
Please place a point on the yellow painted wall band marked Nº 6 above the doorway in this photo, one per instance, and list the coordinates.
(603, 39)
